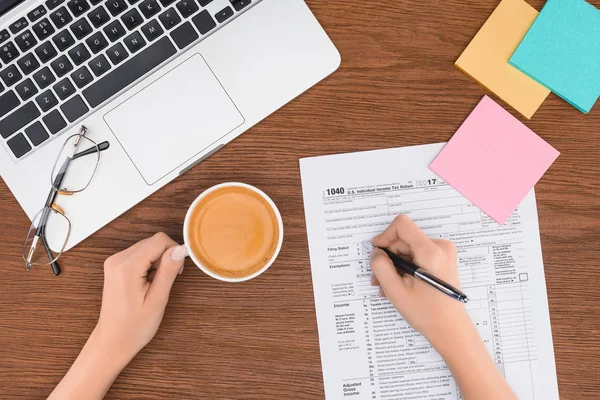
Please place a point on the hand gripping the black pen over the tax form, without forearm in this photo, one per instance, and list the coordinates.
(425, 309)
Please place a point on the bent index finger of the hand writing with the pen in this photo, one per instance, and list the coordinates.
(403, 229)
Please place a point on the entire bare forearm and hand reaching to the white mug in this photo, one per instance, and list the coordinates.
(137, 283)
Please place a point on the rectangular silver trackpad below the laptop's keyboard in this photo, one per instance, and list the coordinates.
(174, 119)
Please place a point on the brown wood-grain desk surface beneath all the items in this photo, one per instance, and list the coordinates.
(397, 86)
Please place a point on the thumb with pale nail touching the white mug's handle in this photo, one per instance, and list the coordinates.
(167, 270)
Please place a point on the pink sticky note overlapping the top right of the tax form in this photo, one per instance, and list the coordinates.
(494, 160)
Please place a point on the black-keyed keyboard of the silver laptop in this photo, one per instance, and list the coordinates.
(66, 58)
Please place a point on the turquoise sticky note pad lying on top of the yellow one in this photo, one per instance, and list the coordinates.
(561, 51)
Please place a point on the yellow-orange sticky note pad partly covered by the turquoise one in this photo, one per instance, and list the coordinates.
(486, 58)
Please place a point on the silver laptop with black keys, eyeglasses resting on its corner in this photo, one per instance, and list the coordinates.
(165, 82)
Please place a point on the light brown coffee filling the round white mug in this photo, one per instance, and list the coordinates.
(233, 231)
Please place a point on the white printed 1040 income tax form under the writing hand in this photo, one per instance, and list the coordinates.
(367, 350)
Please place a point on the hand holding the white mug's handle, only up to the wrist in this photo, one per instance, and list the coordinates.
(137, 283)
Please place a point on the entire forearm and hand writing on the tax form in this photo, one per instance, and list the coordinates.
(442, 320)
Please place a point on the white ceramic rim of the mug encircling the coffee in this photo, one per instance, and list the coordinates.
(187, 239)
